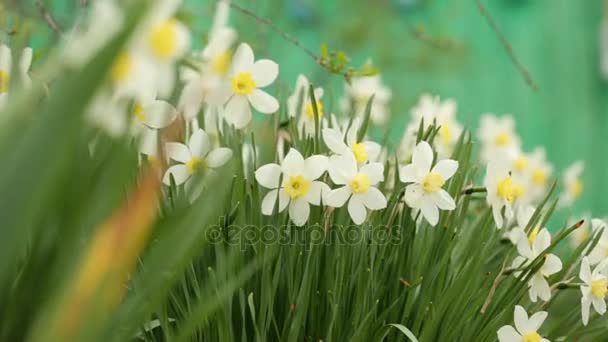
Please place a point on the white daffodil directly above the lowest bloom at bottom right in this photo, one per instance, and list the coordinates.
(529, 247)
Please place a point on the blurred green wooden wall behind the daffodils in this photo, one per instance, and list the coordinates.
(557, 40)
